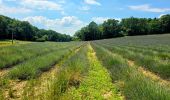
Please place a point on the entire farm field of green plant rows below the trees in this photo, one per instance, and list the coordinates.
(127, 68)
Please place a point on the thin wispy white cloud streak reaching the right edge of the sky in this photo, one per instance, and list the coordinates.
(148, 8)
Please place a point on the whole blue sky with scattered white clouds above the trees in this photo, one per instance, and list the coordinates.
(68, 16)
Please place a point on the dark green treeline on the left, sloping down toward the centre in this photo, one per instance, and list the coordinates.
(23, 30)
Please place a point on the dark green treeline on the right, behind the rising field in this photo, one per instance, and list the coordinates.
(126, 27)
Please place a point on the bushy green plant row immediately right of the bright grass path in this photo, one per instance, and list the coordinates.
(133, 84)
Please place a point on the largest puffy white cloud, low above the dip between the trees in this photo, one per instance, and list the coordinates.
(68, 25)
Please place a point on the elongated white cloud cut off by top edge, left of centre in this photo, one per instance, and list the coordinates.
(41, 4)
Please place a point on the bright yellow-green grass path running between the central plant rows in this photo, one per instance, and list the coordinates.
(97, 84)
